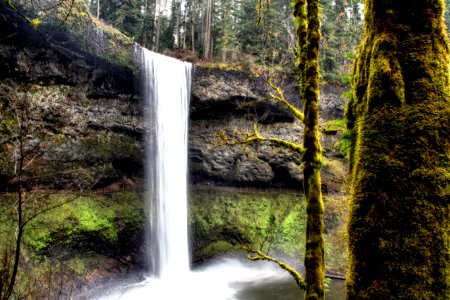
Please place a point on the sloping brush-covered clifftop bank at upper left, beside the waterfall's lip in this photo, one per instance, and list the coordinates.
(72, 20)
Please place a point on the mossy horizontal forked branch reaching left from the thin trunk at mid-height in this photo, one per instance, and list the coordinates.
(246, 138)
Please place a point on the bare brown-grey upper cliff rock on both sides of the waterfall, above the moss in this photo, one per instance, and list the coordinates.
(85, 117)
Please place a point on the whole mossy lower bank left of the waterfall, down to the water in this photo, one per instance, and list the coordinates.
(72, 240)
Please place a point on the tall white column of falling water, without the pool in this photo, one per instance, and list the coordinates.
(167, 83)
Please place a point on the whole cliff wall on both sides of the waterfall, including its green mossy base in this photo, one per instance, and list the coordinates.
(81, 120)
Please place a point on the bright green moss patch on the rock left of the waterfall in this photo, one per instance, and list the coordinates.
(69, 223)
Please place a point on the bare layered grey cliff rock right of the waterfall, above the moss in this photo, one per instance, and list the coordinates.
(226, 101)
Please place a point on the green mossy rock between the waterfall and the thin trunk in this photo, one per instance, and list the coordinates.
(246, 217)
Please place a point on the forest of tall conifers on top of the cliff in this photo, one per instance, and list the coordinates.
(227, 30)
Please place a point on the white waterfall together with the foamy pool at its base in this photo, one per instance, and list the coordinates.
(166, 89)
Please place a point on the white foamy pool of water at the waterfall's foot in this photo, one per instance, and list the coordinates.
(229, 279)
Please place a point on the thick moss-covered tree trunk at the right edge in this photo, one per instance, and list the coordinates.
(399, 222)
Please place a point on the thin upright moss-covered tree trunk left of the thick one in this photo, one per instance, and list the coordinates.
(308, 33)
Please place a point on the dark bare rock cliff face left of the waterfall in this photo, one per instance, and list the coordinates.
(81, 118)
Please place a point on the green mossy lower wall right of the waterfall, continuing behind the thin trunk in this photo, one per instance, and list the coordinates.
(222, 221)
